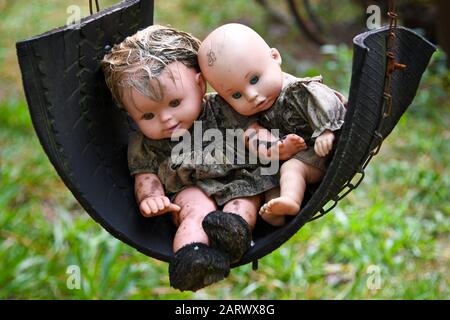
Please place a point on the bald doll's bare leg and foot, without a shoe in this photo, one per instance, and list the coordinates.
(294, 177)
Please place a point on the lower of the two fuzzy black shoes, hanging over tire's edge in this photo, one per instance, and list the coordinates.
(196, 266)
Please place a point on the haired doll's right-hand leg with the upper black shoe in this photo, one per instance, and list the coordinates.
(230, 230)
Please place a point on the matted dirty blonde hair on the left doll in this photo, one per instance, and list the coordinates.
(139, 60)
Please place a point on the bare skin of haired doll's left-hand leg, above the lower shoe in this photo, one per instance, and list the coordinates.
(195, 205)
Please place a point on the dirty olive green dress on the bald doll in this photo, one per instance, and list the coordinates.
(307, 108)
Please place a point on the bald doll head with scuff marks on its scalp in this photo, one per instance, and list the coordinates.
(242, 68)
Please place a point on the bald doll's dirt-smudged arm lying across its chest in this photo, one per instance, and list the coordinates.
(281, 149)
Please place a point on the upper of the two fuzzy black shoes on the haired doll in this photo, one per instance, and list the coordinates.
(228, 232)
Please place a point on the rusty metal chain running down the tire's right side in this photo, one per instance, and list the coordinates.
(392, 65)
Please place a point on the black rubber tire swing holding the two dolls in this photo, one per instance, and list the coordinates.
(85, 135)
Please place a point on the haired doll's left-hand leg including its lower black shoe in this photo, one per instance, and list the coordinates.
(195, 265)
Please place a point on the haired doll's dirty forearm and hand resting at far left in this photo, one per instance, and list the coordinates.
(150, 195)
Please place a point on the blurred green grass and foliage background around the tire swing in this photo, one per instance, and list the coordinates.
(394, 228)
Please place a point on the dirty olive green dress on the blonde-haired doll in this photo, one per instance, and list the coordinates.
(205, 160)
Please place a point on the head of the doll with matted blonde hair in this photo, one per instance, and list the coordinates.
(154, 76)
